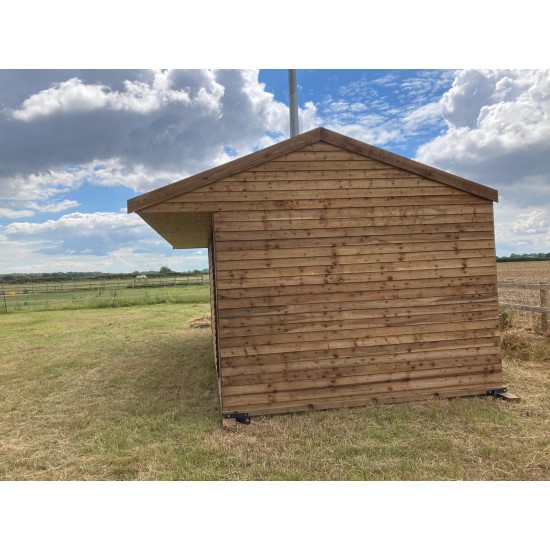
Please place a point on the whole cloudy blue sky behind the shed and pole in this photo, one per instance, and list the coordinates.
(75, 145)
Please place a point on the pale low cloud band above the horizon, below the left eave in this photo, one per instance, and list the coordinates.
(102, 241)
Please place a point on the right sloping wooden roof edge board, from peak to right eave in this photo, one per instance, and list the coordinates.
(405, 163)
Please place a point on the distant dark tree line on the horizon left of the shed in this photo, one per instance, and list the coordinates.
(76, 275)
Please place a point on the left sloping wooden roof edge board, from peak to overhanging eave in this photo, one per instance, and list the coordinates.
(225, 170)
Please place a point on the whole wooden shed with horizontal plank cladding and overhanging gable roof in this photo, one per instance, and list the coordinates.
(340, 274)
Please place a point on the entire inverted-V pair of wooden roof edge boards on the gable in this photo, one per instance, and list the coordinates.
(298, 142)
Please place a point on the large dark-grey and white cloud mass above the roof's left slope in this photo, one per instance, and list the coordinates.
(139, 129)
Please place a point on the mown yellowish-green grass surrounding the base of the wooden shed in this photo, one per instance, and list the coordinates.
(130, 393)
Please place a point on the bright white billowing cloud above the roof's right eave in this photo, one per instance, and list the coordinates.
(498, 131)
